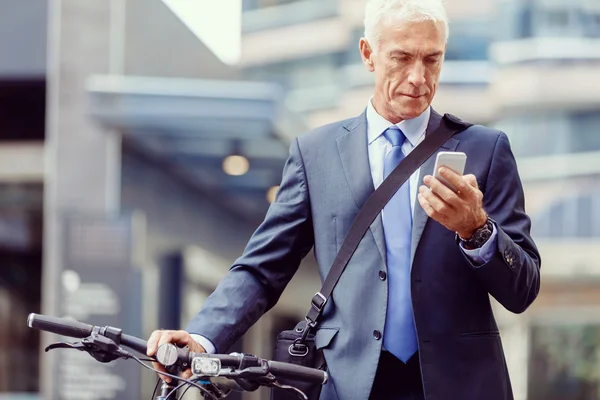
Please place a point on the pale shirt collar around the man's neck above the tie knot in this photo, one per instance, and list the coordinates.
(412, 128)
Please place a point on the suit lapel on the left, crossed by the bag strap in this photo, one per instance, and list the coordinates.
(353, 149)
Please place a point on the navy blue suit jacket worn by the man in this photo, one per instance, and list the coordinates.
(325, 182)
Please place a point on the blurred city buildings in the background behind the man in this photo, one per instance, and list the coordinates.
(141, 142)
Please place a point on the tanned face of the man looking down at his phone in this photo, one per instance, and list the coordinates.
(407, 67)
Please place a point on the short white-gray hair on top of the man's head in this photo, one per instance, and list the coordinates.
(403, 10)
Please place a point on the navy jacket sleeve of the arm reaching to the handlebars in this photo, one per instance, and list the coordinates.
(272, 256)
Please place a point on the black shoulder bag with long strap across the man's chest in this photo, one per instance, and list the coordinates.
(298, 346)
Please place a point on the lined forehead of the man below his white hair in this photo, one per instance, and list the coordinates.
(412, 37)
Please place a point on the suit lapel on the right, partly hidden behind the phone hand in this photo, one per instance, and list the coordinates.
(420, 217)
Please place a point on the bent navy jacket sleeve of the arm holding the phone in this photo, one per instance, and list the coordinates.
(512, 275)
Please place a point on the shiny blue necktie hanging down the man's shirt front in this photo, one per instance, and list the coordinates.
(400, 336)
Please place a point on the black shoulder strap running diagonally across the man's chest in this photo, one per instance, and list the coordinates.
(449, 125)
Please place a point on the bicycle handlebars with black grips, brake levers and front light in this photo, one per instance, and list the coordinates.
(214, 375)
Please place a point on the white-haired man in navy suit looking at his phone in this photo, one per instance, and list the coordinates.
(410, 317)
